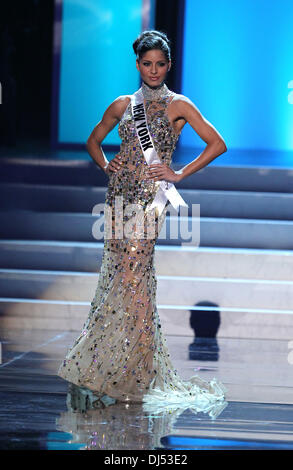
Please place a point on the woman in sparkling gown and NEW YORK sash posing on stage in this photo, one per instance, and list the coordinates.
(121, 353)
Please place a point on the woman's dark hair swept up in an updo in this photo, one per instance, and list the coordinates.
(149, 40)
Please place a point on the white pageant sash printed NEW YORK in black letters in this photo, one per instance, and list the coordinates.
(167, 190)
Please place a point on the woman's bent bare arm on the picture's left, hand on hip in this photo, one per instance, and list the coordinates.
(109, 120)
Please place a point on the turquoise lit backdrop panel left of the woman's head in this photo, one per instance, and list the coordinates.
(97, 63)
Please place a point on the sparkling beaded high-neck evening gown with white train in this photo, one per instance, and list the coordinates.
(121, 353)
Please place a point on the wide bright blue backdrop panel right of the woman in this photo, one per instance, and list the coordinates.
(237, 69)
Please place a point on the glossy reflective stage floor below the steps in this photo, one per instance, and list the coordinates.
(35, 411)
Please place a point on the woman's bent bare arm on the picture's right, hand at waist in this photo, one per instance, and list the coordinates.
(185, 110)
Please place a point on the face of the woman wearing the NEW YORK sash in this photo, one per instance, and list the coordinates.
(153, 67)
